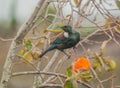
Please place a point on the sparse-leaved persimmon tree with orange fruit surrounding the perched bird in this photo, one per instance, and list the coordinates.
(85, 65)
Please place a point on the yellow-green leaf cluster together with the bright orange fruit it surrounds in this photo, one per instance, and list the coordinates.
(81, 69)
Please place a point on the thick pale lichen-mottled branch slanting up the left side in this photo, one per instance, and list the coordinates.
(20, 35)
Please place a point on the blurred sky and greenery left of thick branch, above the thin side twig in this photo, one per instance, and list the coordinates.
(13, 13)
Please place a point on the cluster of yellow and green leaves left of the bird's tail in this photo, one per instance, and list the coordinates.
(28, 54)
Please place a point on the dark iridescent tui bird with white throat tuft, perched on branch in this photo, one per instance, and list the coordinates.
(69, 39)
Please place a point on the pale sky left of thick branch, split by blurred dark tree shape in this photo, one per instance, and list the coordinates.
(24, 8)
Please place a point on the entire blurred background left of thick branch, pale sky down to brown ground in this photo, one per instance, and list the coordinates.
(13, 13)
